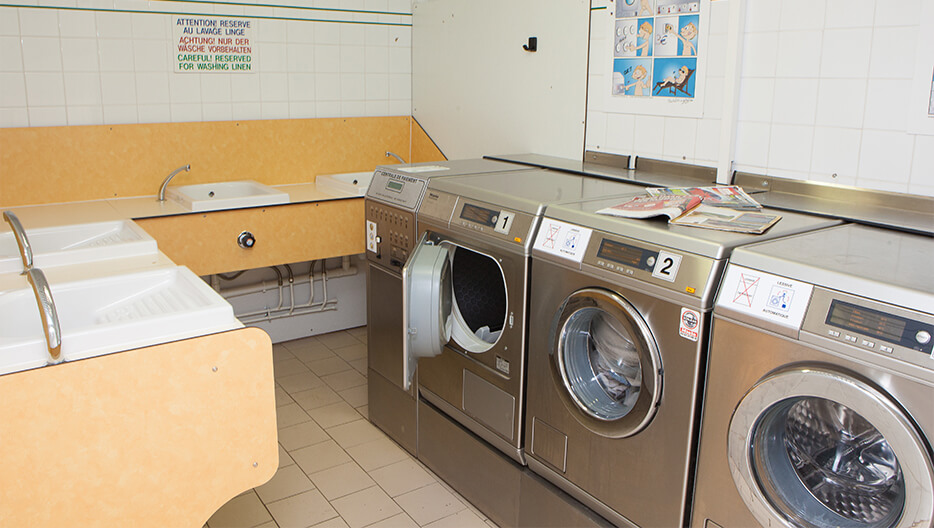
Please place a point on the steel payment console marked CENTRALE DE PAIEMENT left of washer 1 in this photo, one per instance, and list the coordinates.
(391, 201)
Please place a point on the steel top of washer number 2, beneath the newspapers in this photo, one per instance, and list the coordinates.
(705, 242)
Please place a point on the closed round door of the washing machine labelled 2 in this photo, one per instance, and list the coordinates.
(606, 363)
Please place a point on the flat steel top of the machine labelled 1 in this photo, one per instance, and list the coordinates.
(530, 190)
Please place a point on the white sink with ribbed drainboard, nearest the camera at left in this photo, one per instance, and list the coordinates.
(105, 315)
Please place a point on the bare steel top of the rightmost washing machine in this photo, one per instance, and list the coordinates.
(875, 263)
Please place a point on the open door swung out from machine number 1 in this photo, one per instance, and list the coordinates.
(427, 305)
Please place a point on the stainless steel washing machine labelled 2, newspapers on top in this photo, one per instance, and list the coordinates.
(619, 320)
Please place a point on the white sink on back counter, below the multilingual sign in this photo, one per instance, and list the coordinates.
(226, 195)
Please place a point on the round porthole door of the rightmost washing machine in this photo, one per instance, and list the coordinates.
(812, 447)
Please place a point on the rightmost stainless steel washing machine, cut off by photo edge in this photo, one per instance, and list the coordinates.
(820, 408)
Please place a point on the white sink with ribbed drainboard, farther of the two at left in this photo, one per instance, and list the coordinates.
(77, 244)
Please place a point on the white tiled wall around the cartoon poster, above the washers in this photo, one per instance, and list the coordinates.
(822, 97)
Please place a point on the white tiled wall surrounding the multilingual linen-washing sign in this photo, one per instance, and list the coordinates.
(87, 62)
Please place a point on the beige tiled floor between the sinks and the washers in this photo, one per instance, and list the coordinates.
(335, 468)
